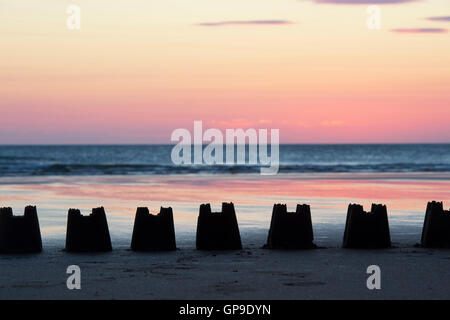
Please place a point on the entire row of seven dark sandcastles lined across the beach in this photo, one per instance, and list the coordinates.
(216, 230)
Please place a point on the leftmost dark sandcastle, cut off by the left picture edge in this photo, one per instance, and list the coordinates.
(20, 234)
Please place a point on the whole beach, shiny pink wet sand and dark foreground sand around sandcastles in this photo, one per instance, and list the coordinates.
(407, 272)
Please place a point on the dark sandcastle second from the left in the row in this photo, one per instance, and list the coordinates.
(87, 233)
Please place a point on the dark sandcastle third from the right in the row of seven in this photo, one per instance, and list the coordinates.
(290, 230)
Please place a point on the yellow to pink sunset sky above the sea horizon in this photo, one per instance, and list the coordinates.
(137, 70)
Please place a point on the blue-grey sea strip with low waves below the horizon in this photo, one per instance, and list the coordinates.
(94, 160)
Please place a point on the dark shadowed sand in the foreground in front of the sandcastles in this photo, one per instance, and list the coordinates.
(253, 273)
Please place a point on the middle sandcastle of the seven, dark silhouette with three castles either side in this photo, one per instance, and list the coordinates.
(218, 230)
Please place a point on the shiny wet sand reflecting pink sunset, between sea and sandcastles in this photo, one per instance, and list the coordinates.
(253, 195)
